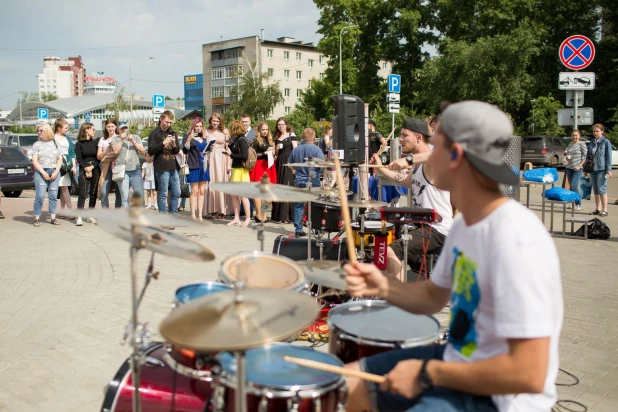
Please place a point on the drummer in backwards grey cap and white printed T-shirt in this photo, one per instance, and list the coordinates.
(500, 269)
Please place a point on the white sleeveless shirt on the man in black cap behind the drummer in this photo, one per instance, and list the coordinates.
(426, 195)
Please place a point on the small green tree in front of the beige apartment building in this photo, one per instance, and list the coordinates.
(253, 96)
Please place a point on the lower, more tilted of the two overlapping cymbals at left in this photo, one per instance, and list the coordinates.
(161, 241)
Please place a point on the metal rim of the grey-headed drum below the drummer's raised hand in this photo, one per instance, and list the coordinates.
(406, 343)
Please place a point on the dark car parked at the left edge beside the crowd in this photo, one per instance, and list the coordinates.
(16, 171)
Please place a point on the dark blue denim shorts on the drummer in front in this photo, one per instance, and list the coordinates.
(434, 399)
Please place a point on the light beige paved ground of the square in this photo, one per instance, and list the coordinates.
(64, 303)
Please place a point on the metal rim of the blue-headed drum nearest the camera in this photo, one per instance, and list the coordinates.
(284, 391)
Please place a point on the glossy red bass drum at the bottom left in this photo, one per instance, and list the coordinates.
(161, 388)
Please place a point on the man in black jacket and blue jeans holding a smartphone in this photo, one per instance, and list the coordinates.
(162, 145)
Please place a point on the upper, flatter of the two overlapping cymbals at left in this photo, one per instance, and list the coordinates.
(143, 217)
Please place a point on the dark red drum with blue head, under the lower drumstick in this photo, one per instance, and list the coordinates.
(277, 385)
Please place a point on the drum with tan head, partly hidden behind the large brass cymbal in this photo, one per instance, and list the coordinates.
(260, 270)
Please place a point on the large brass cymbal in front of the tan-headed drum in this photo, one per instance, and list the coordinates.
(217, 322)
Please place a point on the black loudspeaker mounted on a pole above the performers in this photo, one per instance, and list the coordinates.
(349, 128)
